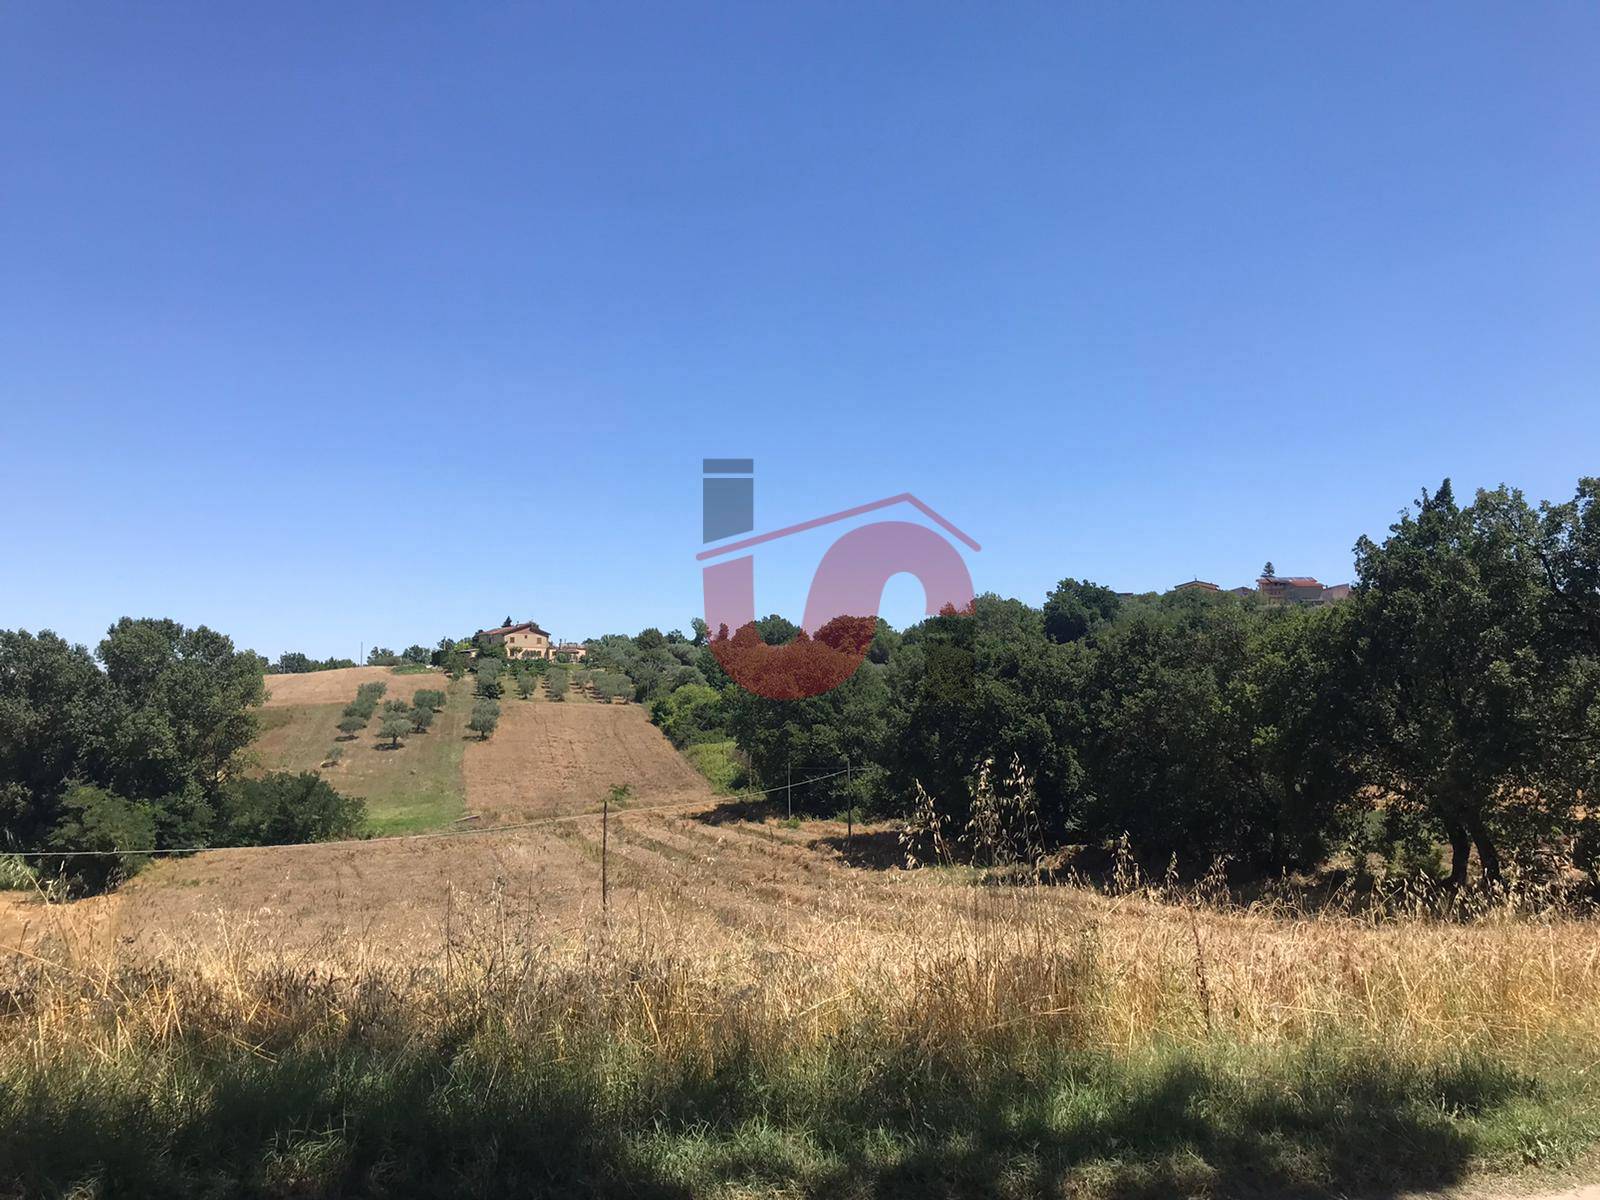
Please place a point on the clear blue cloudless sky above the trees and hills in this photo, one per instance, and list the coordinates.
(337, 324)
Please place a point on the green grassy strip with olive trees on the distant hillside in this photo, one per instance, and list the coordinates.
(414, 788)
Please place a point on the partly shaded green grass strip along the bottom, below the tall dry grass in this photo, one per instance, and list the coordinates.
(471, 1111)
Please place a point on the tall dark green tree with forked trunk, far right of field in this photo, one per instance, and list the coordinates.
(1452, 615)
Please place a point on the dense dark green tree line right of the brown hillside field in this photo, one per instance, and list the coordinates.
(1446, 713)
